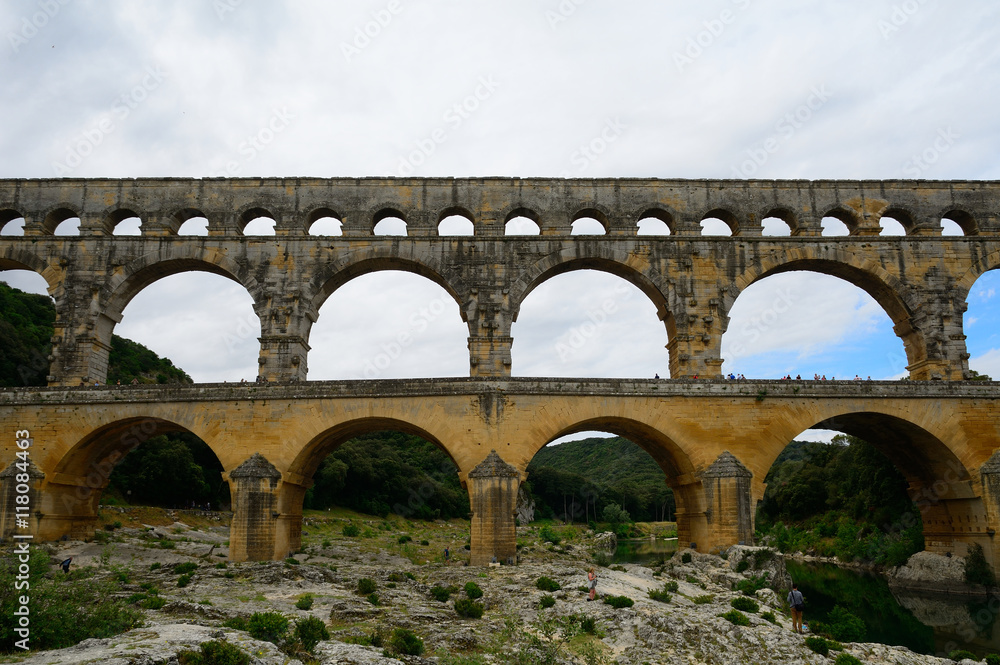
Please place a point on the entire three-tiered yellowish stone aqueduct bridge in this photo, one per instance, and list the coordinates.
(714, 439)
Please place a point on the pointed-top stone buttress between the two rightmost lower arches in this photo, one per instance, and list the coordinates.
(727, 500)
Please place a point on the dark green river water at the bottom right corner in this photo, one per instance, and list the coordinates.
(925, 623)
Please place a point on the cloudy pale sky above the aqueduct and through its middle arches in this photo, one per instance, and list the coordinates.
(657, 89)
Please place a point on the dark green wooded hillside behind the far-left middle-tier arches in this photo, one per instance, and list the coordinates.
(26, 325)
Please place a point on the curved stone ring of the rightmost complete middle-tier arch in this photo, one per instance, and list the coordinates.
(888, 291)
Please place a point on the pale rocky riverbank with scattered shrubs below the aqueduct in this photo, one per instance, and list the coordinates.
(514, 627)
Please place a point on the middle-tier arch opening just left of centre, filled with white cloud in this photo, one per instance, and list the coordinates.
(387, 320)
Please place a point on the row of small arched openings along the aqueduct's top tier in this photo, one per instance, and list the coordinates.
(255, 220)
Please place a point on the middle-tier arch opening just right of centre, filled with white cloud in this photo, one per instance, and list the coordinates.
(590, 319)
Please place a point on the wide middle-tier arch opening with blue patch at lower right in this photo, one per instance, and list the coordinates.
(814, 321)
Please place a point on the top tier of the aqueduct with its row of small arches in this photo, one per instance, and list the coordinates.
(161, 208)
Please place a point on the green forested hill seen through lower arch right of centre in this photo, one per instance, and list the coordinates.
(607, 470)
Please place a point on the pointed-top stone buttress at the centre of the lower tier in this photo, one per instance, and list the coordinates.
(493, 487)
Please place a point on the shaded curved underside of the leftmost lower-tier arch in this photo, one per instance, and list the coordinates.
(71, 491)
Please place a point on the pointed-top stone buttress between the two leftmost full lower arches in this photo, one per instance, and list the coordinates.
(254, 490)
